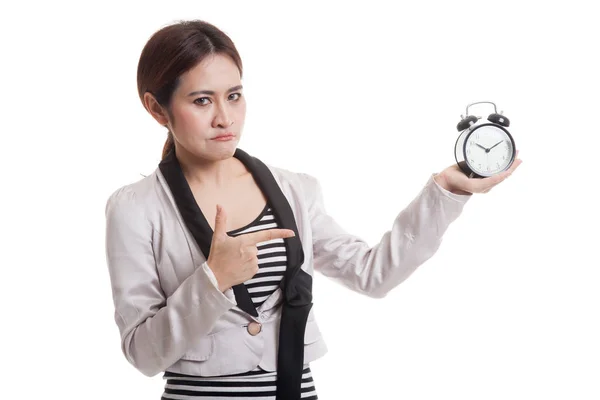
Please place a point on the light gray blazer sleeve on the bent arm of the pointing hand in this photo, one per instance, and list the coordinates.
(155, 330)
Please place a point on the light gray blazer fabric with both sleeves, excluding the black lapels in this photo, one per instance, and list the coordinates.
(169, 311)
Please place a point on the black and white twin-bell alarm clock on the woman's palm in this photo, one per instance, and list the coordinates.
(484, 148)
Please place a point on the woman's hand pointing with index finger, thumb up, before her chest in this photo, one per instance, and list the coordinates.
(234, 260)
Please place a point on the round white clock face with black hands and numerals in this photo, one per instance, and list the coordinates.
(488, 150)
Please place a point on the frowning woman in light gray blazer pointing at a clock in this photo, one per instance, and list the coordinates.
(211, 257)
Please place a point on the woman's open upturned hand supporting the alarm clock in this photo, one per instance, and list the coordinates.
(455, 181)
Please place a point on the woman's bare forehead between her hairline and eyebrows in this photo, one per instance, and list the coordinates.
(216, 72)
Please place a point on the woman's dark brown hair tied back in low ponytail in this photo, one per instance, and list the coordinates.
(173, 50)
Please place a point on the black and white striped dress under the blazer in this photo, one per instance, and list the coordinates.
(257, 384)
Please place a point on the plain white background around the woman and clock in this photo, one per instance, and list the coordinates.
(366, 97)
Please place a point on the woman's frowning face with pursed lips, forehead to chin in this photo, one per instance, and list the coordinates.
(208, 102)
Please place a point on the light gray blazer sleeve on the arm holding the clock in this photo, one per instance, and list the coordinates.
(414, 237)
